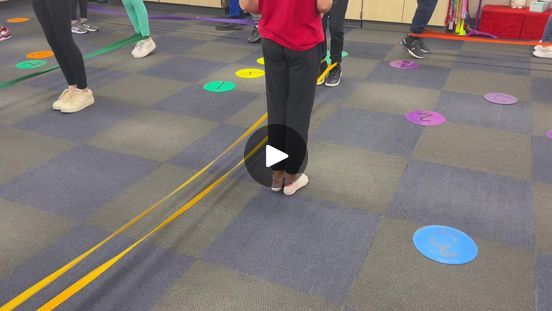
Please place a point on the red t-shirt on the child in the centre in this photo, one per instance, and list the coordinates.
(294, 24)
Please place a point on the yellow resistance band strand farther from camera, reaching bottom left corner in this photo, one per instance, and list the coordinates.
(31, 291)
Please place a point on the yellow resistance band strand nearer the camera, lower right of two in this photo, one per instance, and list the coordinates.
(94, 274)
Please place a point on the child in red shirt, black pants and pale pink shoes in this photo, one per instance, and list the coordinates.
(292, 35)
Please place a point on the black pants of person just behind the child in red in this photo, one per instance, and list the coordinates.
(336, 20)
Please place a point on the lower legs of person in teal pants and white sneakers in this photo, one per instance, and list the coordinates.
(138, 15)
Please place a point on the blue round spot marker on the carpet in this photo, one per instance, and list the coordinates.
(445, 245)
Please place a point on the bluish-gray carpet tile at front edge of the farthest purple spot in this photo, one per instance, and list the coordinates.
(427, 76)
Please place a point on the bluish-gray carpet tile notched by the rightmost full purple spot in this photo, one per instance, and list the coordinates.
(475, 110)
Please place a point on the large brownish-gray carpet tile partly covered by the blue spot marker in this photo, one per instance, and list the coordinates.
(395, 276)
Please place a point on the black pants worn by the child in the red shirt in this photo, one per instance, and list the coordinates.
(290, 87)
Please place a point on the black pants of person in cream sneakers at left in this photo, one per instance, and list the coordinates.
(55, 18)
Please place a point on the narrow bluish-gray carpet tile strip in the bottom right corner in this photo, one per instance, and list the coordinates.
(544, 281)
